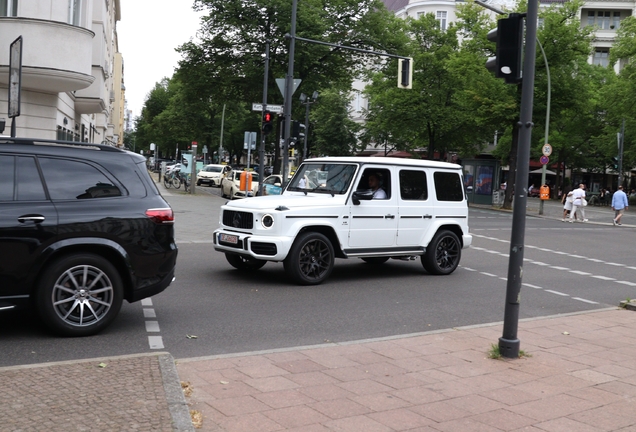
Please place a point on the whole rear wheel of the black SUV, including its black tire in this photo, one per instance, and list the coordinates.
(79, 295)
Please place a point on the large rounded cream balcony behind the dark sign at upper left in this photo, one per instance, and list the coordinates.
(56, 57)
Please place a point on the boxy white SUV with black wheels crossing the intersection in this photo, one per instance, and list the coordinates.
(328, 211)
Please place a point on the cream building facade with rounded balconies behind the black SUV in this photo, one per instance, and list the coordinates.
(72, 82)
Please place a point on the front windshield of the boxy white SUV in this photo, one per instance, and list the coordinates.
(328, 178)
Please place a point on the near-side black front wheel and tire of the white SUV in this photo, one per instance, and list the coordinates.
(310, 259)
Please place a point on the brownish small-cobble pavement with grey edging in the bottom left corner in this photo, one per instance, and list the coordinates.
(128, 393)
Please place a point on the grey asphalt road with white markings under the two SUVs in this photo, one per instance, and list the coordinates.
(212, 308)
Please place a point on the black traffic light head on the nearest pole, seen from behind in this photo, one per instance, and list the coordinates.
(509, 39)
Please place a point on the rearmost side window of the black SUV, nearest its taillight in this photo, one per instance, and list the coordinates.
(70, 180)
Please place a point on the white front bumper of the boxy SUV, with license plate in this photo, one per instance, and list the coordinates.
(268, 248)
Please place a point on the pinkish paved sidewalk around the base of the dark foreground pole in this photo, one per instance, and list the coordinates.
(580, 376)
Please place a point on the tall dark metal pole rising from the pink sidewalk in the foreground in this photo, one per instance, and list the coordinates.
(509, 343)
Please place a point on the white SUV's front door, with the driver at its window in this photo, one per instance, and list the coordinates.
(373, 223)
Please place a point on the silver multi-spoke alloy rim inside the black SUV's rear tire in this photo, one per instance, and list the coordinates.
(82, 295)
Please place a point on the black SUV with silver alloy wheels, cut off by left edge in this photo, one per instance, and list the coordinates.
(82, 227)
